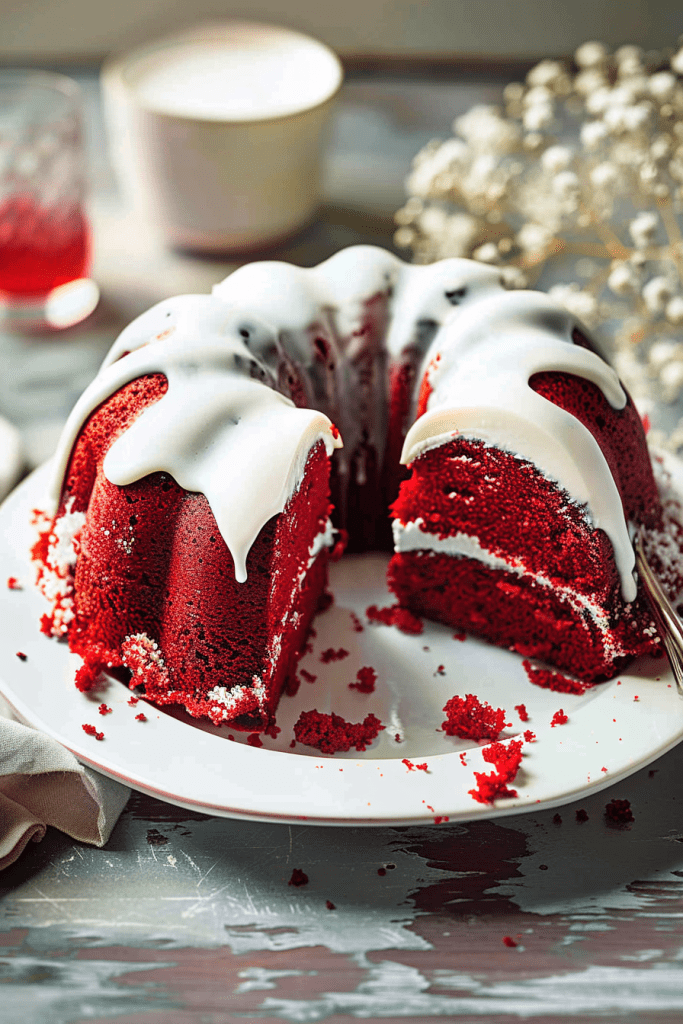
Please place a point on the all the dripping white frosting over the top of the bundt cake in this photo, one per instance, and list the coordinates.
(220, 431)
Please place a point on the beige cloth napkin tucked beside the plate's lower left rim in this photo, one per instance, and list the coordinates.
(42, 784)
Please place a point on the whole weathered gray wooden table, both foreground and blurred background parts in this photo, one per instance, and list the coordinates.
(189, 919)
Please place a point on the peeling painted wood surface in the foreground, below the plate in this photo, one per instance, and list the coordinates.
(188, 919)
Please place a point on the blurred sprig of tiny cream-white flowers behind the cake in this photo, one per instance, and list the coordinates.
(575, 184)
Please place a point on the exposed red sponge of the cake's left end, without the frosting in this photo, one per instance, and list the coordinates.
(153, 566)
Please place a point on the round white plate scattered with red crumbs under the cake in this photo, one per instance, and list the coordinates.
(613, 731)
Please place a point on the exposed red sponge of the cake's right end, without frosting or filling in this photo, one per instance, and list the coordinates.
(519, 515)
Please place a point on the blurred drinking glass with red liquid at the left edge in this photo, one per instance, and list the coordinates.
(45, 235)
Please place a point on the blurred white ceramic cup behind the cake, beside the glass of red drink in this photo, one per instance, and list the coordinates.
(218, 134)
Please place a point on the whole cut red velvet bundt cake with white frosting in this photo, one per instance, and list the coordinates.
(193, 531)
